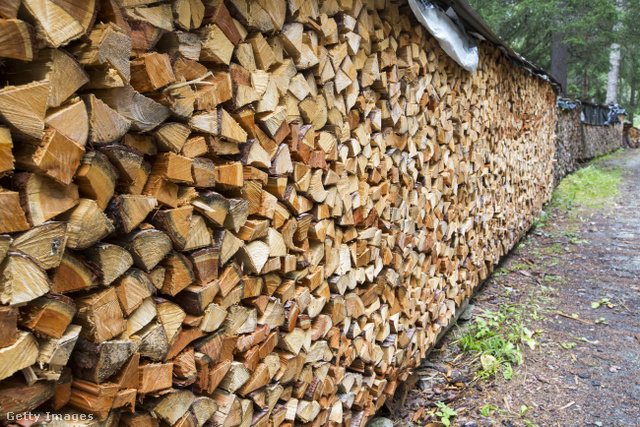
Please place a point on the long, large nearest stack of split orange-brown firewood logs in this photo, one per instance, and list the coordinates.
(246, 213)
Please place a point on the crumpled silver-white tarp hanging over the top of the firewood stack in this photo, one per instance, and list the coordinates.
(451, 36)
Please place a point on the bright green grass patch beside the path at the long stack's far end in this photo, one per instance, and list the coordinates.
(593, 186)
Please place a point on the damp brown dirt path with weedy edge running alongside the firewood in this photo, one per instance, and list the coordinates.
(566, 304)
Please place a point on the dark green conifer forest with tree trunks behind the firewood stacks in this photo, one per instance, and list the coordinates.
(591, 47)
